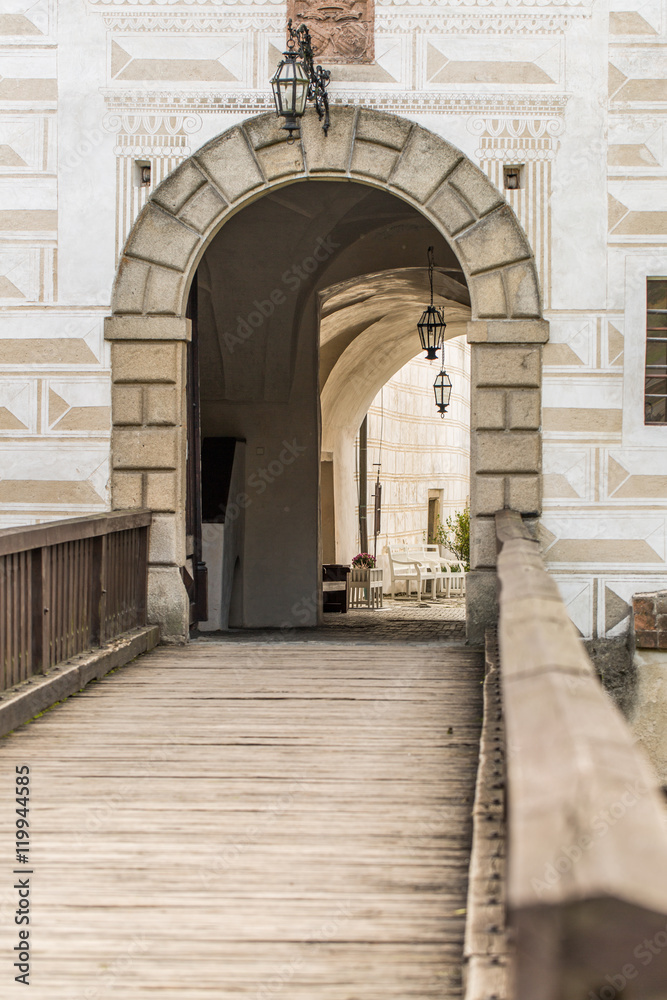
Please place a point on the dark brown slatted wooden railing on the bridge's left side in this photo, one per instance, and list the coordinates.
(67, 586)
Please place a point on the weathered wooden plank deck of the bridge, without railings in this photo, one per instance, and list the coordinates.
(245, 822)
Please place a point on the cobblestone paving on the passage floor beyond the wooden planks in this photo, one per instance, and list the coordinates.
(400, 620)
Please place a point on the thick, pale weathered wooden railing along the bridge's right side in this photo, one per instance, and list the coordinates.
(587, 871)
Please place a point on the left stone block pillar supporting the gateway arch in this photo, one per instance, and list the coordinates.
(148, 450)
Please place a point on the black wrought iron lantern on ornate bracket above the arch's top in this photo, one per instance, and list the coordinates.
(297, 80)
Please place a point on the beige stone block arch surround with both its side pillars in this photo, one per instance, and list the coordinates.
(149, 330)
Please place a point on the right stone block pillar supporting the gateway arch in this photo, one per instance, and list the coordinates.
(505, 446)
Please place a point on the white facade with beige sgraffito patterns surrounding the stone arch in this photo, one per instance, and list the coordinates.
(88, 87)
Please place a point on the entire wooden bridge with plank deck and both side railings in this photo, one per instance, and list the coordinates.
(324, 820)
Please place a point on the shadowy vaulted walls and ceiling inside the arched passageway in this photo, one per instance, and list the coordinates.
(306, 304)
